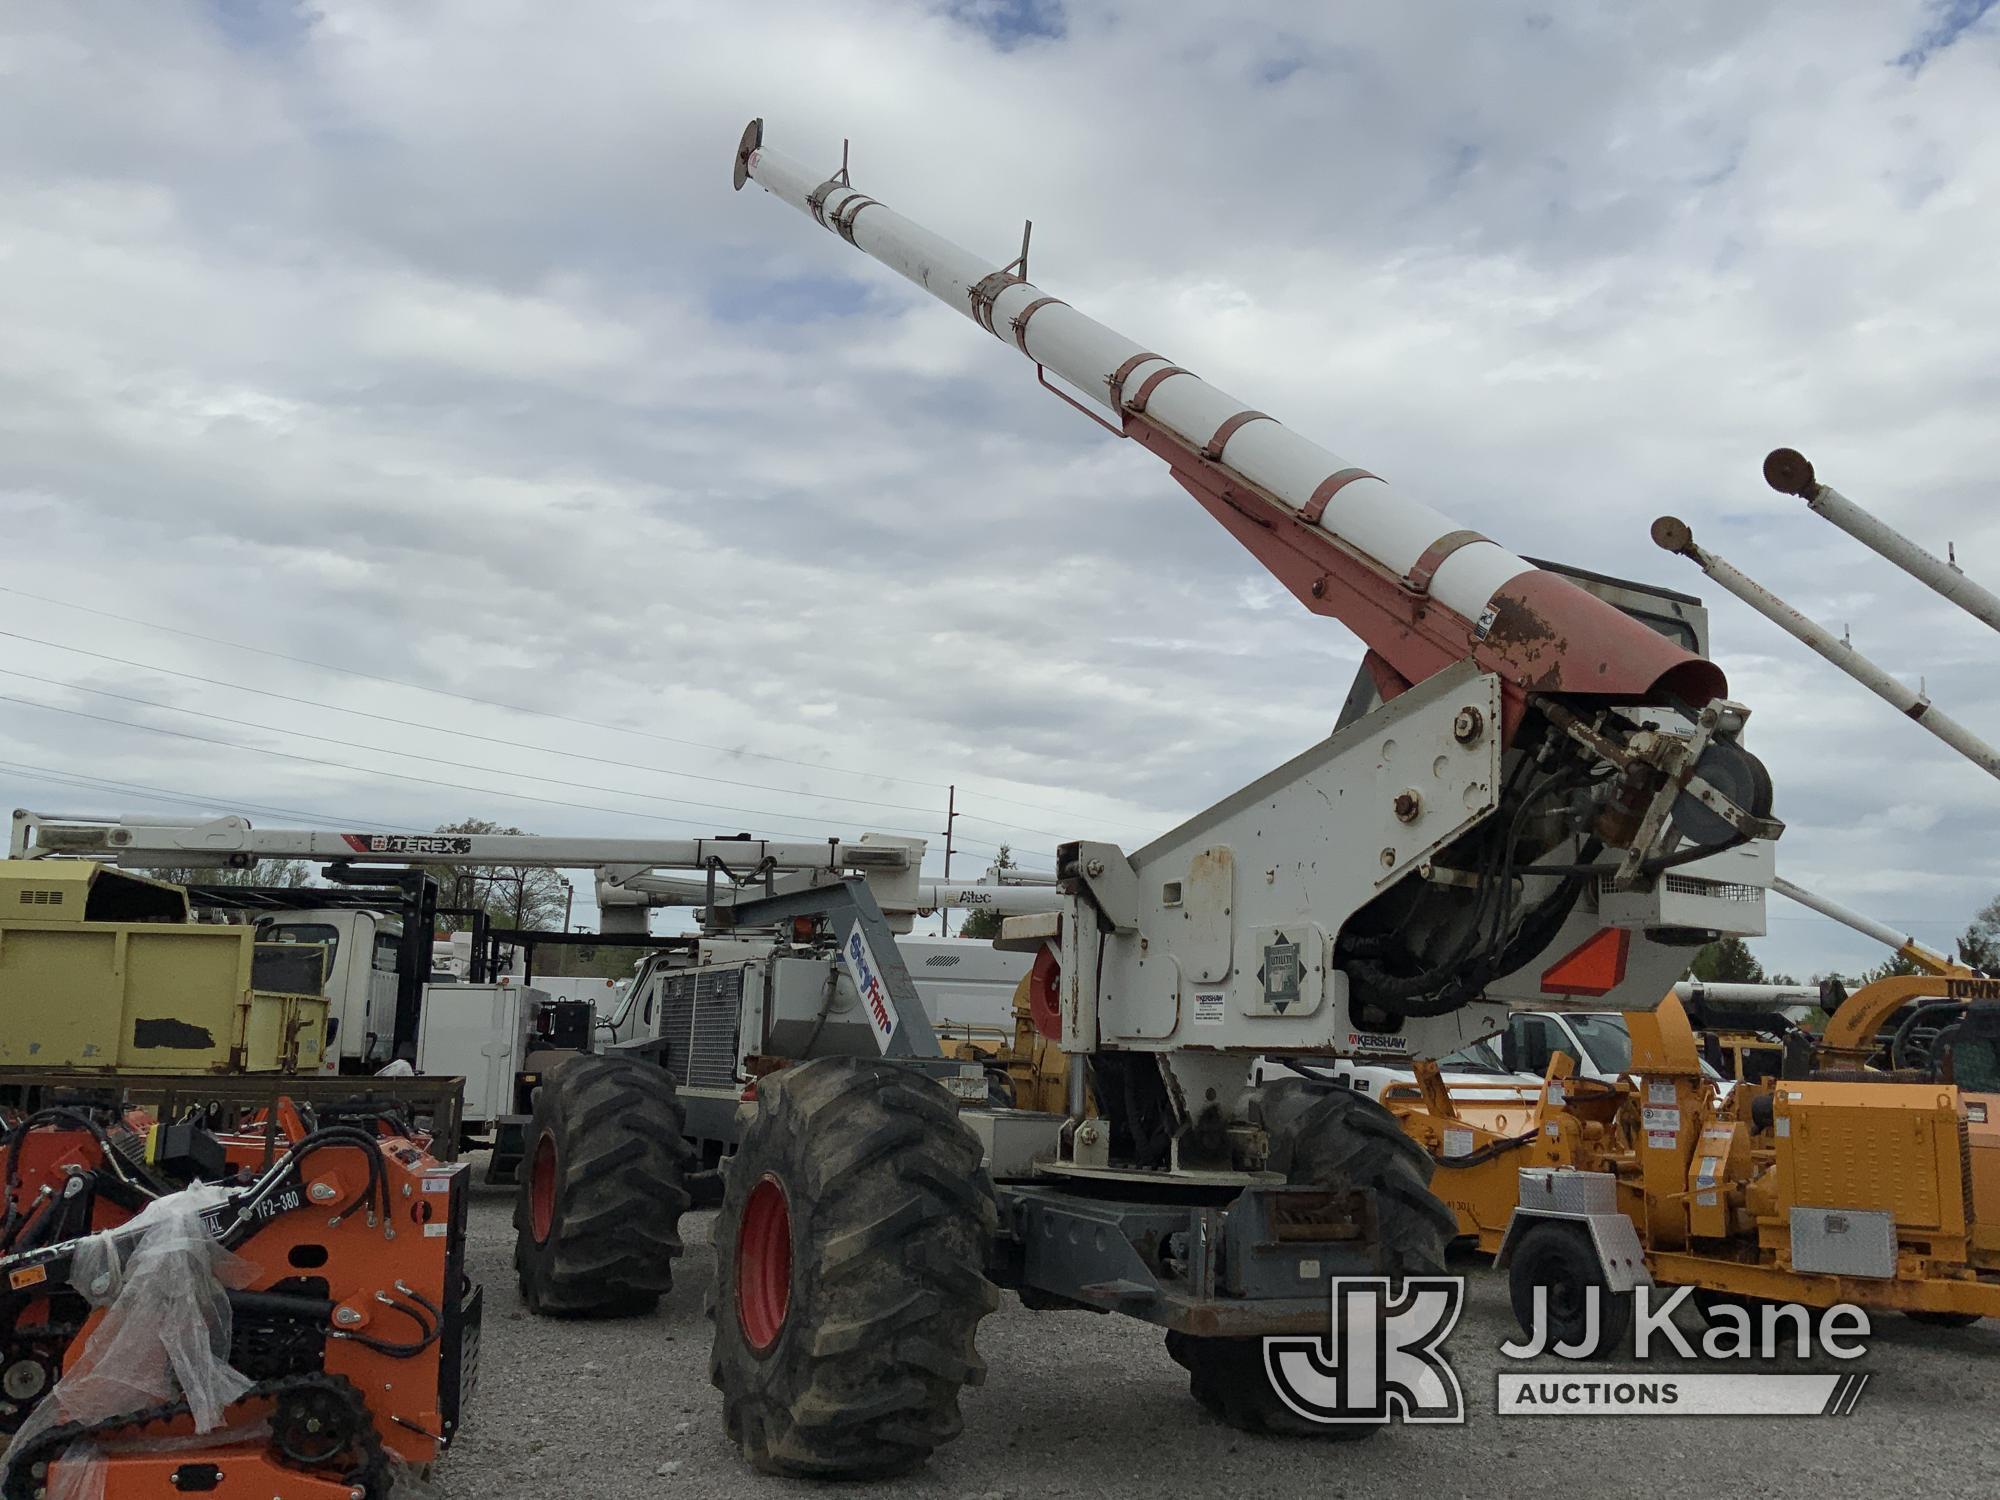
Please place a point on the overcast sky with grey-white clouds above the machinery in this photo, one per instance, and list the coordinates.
(401, 417)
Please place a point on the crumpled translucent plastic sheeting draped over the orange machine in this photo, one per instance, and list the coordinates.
(165, 1335)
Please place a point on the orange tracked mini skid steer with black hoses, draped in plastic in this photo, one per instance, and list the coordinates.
(339, 1255)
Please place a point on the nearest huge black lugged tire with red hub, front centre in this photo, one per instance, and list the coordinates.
(851, 1273)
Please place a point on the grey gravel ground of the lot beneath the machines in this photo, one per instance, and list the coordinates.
(1077, 1405)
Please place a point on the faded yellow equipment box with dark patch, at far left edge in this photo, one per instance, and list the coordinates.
(103, 971)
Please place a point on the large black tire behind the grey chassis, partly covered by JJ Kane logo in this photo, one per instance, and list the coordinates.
(1329, 1139)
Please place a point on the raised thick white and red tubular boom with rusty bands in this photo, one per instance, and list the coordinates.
(1419, 589)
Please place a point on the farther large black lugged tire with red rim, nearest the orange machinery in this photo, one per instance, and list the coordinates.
(603, 1185)
